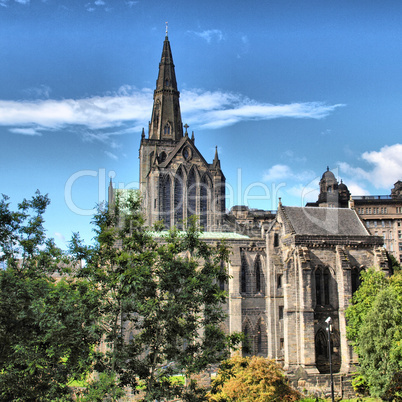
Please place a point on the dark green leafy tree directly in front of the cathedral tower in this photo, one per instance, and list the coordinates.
(162, 300)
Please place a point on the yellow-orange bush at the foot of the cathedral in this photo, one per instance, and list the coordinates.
(254, 379)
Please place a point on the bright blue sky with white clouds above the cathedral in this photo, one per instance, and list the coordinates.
(283, 88)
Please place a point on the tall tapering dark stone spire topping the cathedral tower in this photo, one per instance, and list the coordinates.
(166, 121)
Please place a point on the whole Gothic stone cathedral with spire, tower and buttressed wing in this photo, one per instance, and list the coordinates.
(289, 271)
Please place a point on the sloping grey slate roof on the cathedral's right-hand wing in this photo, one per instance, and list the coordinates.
(324, 221)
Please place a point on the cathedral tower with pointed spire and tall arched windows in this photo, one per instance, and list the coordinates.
(176, 182)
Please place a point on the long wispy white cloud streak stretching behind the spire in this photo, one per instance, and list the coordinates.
(129, 109)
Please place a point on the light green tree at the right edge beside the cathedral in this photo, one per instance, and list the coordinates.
(375, 330)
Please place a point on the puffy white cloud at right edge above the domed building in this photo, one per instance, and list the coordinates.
(386, 166)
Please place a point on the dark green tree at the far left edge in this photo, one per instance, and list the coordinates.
(47, 335)
